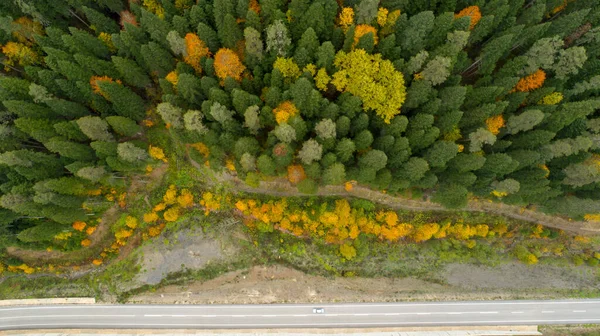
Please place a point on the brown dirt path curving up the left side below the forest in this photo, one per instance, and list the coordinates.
(99, 239)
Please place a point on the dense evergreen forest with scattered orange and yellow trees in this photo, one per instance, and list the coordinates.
(452, 99)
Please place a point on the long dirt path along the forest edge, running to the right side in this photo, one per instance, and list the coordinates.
(281, 187)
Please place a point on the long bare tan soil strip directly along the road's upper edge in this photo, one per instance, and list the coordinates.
(278, 284)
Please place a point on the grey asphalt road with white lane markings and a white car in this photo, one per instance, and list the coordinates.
(301, 315)
